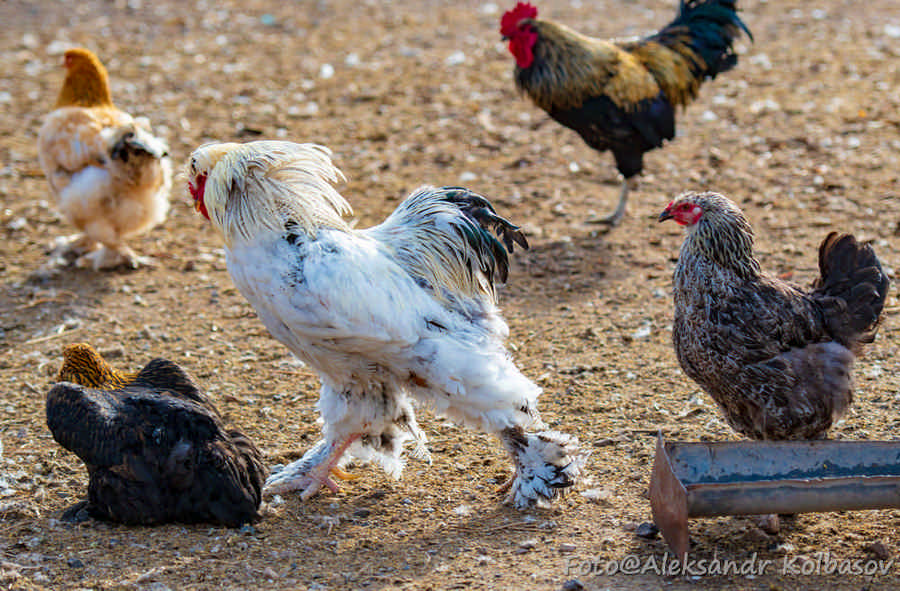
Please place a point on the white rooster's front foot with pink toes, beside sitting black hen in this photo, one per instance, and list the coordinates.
(312, 471)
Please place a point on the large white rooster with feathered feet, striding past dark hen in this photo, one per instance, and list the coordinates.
(403, 310)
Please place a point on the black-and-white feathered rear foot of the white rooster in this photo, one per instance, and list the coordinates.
(546, 463)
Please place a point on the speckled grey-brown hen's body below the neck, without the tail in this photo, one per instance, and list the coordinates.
(761, 350)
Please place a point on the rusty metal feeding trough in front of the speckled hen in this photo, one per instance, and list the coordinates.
(763, 477)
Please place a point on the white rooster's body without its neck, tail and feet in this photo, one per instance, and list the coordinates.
(342, 304)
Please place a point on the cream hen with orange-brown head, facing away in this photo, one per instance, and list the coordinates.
(111, 177)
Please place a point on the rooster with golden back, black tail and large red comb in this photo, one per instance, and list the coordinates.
(621, 96)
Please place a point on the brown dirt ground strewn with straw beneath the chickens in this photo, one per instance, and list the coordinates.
(803, 134)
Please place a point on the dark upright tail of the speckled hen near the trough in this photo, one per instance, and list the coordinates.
(852, 289)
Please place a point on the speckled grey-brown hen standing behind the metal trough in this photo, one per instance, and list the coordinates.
(775, 357)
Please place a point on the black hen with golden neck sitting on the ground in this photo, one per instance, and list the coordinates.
(155, 447)
